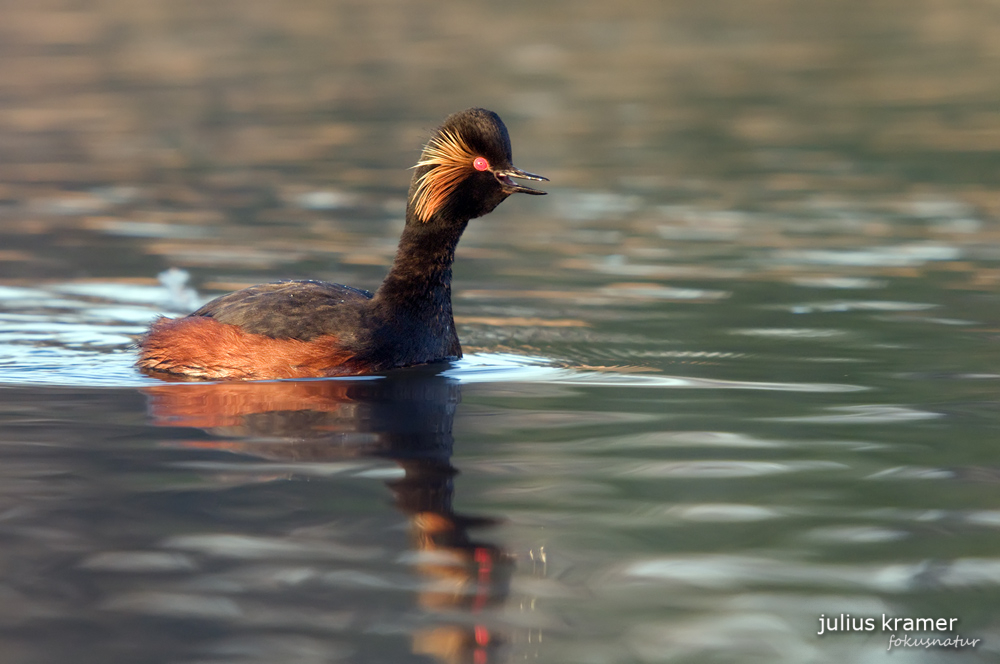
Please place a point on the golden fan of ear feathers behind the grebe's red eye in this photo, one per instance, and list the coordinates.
(451, 161)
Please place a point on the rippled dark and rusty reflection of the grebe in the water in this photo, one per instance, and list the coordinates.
(406, 417)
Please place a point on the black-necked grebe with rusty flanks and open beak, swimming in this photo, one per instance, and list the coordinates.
(304, 329)
